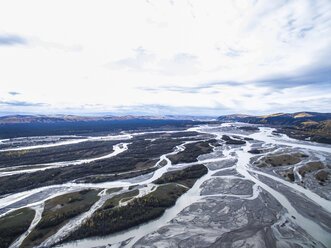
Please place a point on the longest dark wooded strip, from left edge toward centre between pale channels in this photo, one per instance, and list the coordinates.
(141, 154)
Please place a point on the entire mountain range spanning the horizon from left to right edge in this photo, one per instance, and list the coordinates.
(312, 126)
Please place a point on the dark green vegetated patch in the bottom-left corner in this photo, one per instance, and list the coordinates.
(14, 224)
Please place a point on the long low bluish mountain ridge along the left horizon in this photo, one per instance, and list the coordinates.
(16, 119)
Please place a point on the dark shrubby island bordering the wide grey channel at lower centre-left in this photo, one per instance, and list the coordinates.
(111, 218)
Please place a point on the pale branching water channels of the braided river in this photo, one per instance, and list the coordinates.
(242, 165)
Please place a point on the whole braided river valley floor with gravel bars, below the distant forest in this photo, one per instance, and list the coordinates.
(260, 189)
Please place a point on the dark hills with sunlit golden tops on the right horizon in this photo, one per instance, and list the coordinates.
(301, 125)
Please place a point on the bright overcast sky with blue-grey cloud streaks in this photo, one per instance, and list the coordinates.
(165, 57)
